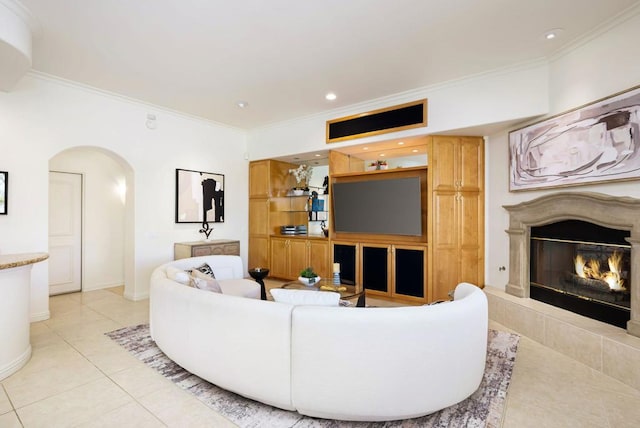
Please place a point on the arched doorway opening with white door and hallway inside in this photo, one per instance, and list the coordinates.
(106, 210)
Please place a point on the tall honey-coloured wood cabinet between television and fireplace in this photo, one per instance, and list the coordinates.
(456, 233)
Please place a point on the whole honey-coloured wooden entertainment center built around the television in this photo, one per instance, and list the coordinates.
(409, 268)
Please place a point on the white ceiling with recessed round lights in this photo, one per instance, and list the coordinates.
(201, 57)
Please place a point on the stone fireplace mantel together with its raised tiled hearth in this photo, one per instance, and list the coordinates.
(603, 347)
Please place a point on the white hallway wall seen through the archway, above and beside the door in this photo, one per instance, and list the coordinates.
(103, 215)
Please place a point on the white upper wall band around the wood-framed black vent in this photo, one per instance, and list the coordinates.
(501, 96)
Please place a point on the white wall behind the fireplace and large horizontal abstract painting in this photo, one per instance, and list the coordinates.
(601, 67)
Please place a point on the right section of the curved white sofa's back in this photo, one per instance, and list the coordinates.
(388, 363)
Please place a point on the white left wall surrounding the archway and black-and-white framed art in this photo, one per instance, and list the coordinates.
(41, 117)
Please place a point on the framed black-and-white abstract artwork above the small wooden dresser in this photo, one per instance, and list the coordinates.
(199, 197)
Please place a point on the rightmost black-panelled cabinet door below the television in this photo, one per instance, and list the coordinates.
(409, 271)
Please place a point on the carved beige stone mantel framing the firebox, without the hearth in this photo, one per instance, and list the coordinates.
(605, 210)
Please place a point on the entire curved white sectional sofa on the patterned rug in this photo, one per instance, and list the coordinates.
(364, 364)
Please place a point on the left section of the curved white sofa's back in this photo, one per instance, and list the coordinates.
(240, 344)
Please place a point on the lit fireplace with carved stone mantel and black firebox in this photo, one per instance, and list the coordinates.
(617, 217)
